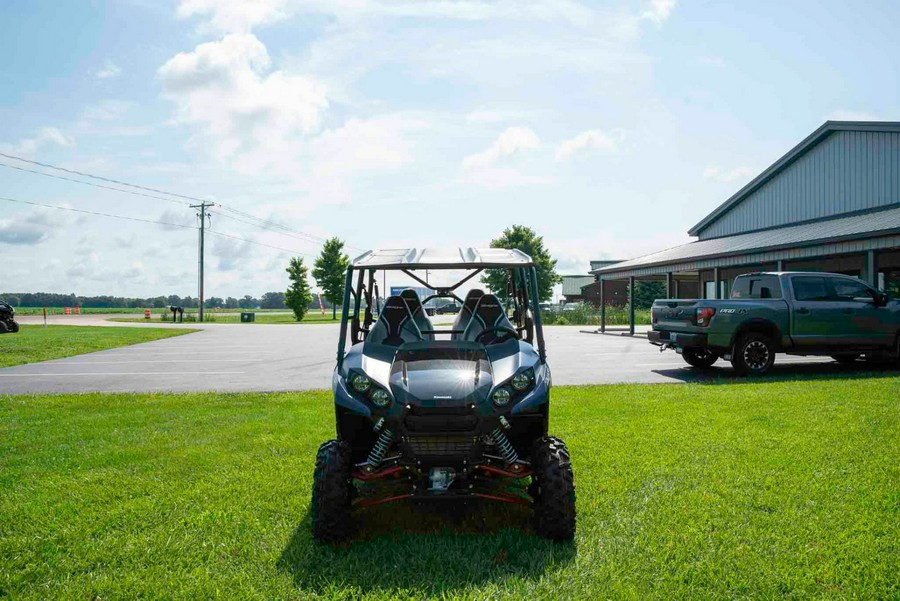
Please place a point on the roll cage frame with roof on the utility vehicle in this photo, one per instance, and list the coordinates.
(361, 287)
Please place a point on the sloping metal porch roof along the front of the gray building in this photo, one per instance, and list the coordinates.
(882, 222)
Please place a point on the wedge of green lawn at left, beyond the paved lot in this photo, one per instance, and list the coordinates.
(37, 343)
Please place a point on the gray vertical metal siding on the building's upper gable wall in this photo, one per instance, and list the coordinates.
(847, 171)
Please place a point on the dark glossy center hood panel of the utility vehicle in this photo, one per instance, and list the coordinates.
(441, 376)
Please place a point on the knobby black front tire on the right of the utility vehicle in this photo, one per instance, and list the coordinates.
(553, 490)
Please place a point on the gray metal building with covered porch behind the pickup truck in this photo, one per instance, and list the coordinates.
(830, 204)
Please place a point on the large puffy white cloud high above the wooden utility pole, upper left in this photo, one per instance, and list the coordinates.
(225, 90)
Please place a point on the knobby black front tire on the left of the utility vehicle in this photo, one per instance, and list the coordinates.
(332, 492)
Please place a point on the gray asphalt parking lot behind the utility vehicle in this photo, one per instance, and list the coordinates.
(249, 357)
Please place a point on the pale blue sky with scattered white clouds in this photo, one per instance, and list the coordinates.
(608, 127)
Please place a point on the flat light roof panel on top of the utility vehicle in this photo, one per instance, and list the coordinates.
(441, 258)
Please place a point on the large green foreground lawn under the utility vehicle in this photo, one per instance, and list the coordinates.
(746, 490)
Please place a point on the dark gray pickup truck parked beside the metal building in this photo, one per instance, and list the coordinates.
(796, 313)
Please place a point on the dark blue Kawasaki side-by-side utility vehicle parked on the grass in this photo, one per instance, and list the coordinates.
(435, 414)
